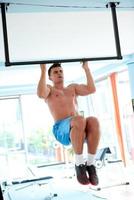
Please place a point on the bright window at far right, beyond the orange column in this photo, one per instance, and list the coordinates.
(126, 112)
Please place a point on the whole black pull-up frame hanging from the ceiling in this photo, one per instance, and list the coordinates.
(112, 5)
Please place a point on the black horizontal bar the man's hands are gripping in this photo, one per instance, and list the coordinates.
(61, 61)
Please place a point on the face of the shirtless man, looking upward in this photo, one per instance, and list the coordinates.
(56, 75)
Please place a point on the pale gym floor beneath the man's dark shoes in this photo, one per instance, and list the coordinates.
(116, 182)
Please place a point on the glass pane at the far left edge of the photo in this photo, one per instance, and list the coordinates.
(11, 136)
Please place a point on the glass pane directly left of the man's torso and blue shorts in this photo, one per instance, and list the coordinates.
(42, 147)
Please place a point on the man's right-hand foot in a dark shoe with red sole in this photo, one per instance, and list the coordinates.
(93, 178)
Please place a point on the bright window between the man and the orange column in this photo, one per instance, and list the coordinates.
(101, 105)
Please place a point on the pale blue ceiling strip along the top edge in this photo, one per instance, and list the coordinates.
(63, 5)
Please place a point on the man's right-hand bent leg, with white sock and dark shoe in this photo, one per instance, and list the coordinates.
(93, 137)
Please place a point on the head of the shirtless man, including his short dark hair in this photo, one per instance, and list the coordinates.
(55, 73)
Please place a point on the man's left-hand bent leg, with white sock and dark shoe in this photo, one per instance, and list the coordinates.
(77, 136)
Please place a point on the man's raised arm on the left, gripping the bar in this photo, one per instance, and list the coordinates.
(43, 90)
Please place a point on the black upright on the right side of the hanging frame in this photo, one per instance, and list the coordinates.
(115, 26)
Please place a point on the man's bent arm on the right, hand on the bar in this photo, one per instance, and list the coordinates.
(89, 87)
